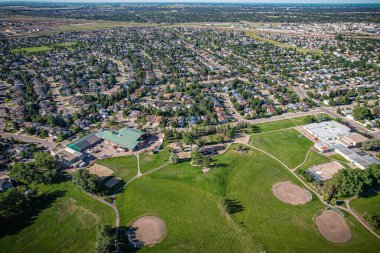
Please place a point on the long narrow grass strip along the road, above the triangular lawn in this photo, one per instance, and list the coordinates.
(278, 125)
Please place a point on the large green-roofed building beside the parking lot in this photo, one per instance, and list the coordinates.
(129, 138)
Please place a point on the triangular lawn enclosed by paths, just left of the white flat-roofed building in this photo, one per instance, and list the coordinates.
(288, 145)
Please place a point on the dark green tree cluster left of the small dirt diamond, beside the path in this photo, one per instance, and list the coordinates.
(82, 179)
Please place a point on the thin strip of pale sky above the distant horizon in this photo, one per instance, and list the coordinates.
(215, 1)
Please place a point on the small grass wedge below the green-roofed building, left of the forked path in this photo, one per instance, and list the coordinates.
(124, 167)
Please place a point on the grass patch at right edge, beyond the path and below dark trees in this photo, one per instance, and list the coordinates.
(368, 205)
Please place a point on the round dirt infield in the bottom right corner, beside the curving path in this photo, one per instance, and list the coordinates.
(333, 227)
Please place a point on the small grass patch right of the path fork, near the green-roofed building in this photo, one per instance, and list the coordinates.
(149, 161)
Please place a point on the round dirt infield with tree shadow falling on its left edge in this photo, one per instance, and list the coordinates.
(146, 231)
